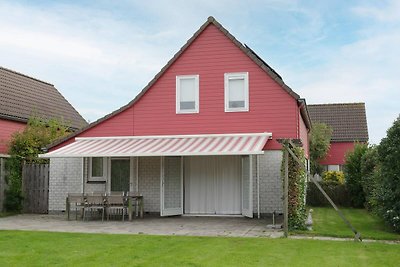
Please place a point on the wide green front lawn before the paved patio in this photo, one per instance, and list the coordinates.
(21, 248)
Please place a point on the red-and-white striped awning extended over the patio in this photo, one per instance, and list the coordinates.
(176, 145)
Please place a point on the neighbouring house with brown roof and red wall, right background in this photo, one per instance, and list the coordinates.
(349, 124)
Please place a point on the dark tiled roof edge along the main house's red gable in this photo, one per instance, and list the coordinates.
(211, 20)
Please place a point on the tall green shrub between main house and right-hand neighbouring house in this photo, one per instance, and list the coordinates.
(320, 139)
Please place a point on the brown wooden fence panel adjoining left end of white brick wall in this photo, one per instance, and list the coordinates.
(35, 185)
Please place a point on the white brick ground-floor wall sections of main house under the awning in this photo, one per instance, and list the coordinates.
(66, 176)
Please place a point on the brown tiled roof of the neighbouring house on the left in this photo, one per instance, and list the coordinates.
(22, 97)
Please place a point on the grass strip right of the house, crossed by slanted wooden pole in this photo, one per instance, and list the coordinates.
(326, 222)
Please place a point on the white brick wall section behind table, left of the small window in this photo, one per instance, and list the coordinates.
(65, 176)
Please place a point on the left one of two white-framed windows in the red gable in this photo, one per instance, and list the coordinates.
(187, 94)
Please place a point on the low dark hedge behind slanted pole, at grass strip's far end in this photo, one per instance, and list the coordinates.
(337, 192)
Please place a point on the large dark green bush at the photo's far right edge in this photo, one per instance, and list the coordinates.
(388, 193)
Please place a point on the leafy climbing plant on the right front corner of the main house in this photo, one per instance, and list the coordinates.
(296, 191)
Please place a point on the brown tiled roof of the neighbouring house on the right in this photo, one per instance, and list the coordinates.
(348, 120)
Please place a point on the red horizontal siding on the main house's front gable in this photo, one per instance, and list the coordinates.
(211, 55)
